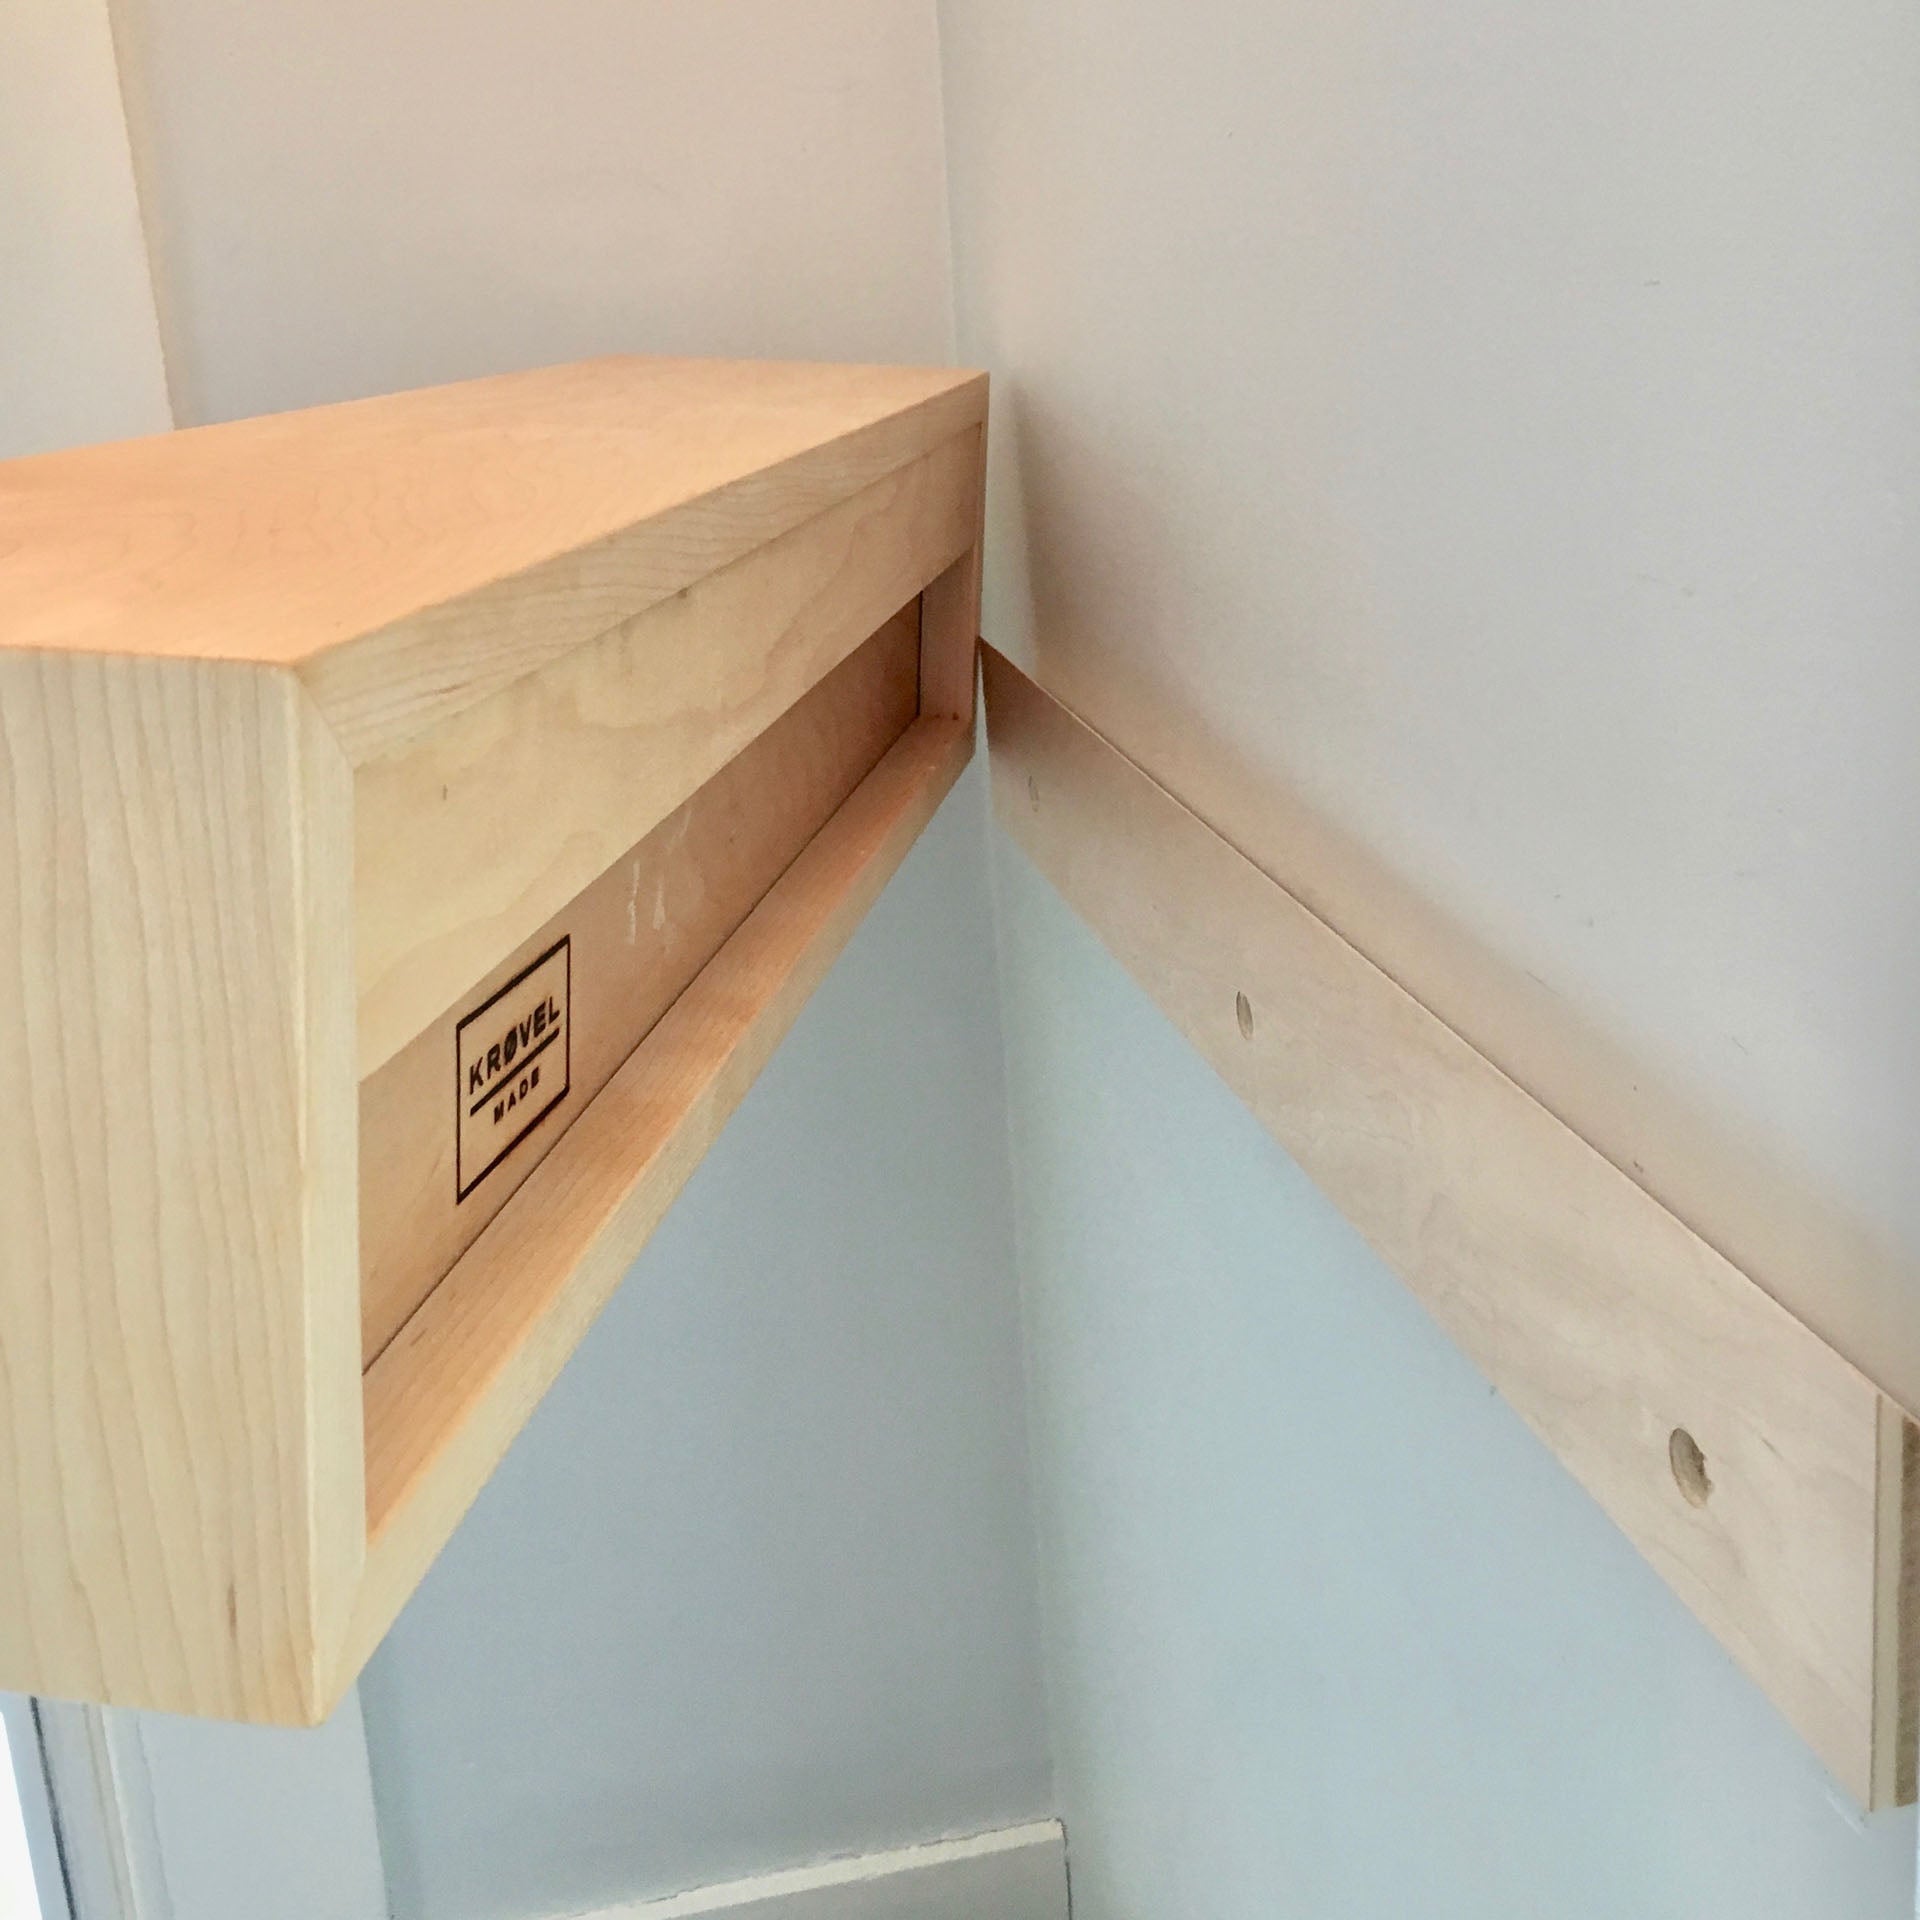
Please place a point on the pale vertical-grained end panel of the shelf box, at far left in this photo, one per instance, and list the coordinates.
(181, 1491)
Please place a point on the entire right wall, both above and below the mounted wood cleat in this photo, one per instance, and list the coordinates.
(1468, 448)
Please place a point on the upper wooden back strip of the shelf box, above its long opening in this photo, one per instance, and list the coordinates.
(475, 834)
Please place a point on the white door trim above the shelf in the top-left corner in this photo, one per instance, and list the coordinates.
(80, 352)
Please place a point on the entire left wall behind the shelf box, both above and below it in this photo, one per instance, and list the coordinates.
(757, 1585)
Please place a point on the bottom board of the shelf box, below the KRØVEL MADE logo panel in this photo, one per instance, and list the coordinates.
(452, 1391)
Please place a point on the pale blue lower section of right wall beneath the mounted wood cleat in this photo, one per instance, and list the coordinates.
(1328, 1631)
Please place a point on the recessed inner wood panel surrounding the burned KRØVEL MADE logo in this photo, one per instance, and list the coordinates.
(640, 934)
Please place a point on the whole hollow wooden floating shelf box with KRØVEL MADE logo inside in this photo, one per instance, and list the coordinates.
(423, 819)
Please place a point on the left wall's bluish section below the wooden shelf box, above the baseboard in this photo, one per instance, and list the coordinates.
(757, 1581)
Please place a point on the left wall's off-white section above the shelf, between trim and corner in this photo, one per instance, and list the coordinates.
(375, 197)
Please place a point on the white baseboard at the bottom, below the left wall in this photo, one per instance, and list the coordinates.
(1017, 1873)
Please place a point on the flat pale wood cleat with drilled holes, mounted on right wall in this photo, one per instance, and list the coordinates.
(1600, 1318)
